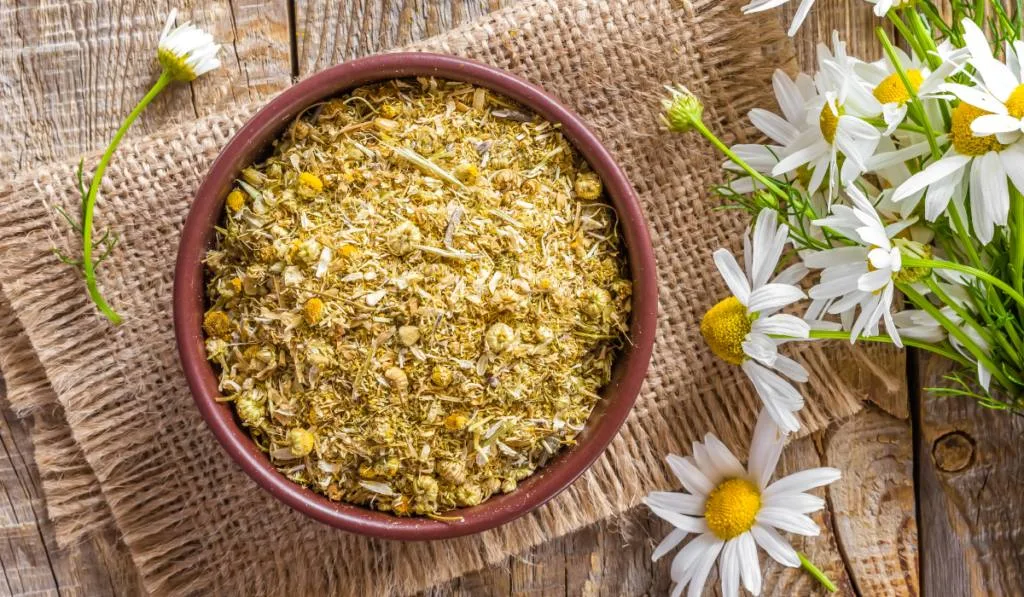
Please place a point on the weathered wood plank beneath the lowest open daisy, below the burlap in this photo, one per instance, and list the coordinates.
(868, 544)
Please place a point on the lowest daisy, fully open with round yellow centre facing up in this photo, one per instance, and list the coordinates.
(734, 510)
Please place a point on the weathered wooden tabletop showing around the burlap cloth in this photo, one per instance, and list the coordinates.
(932, 506)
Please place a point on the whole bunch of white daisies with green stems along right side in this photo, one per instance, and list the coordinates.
(887, 207)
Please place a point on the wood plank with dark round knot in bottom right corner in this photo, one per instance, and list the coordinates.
(971, 466)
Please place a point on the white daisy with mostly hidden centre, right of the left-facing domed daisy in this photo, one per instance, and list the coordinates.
(861, 276)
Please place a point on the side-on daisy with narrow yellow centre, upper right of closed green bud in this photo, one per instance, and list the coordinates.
(835, 125)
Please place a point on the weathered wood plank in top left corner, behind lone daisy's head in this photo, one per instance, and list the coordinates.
(73, 71)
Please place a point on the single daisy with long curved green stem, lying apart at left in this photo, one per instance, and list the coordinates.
(185, 54)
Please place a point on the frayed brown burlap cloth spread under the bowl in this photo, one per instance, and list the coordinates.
(122, 447)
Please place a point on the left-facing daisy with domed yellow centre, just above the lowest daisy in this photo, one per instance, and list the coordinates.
(742, 328)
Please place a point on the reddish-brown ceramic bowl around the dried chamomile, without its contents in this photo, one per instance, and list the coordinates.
(253, 143)
